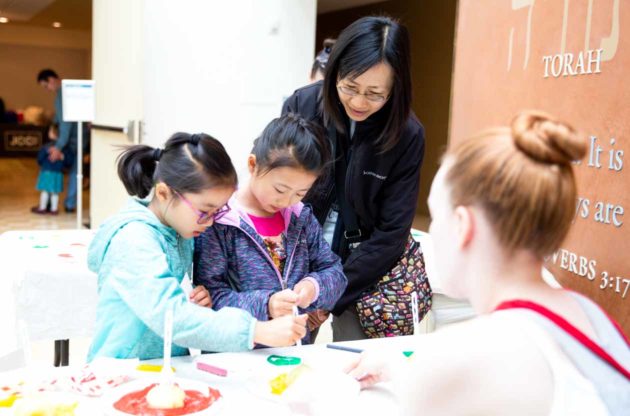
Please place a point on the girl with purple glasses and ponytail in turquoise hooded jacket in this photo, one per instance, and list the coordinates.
(143, 254)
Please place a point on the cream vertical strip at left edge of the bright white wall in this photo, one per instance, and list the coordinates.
(118, 73)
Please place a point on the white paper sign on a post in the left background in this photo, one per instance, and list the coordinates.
(78, 101)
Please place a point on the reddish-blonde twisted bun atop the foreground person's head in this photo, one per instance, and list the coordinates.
(547, 140)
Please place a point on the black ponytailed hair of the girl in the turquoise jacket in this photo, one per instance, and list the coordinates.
(188, 163)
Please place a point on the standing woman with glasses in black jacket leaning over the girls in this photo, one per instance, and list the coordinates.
(367, 203)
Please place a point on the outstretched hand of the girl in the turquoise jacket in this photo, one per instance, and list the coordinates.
(280, 332)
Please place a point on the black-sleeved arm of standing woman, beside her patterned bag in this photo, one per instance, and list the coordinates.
(375, 256)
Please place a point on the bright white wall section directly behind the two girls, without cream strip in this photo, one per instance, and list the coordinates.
(222, 67)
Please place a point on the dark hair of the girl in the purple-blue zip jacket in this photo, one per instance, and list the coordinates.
(292, 141)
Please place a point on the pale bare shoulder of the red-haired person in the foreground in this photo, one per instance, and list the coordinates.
(484, 366)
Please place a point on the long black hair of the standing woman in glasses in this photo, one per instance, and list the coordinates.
(365, 43)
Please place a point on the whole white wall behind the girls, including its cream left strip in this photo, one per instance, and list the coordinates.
(219, 67)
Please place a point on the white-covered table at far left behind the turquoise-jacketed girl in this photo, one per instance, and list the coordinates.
(45, 283)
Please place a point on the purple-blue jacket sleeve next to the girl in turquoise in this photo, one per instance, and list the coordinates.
(211, 271)
